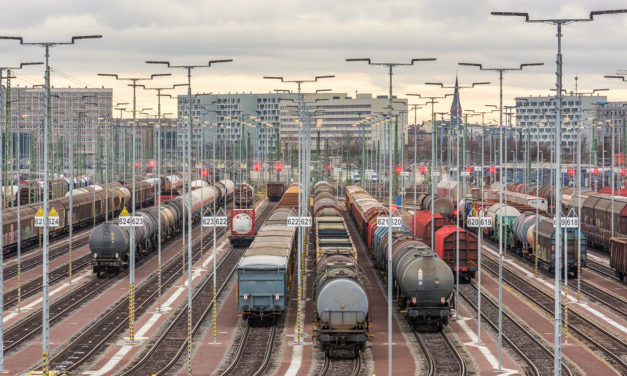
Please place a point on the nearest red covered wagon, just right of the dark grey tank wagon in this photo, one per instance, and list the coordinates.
(445, 248)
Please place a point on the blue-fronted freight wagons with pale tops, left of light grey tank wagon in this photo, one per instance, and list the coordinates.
(264, 272)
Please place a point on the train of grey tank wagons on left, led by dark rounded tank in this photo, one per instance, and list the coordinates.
(109, 242)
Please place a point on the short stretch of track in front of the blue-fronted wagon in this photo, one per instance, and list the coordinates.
(254, 351)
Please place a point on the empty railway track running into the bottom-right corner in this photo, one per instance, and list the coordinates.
(613, 349)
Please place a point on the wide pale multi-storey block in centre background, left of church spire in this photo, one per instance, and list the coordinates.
(334, 115)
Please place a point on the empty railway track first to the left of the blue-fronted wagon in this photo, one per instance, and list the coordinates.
(170, 346)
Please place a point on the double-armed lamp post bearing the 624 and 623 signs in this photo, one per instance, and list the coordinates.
(134, 84)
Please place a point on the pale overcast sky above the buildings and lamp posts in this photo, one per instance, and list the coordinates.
(301, 39)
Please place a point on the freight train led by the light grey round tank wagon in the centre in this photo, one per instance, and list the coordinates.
(341, 304)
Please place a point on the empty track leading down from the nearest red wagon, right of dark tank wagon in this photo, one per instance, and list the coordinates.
(537, 356)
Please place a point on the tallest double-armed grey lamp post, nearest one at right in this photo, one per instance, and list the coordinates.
(558, 22)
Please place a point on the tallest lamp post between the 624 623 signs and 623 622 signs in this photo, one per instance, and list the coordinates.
(188, 69)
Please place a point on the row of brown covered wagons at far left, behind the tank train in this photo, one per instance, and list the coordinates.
(85, 211)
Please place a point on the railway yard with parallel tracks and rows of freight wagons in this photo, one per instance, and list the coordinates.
(246, 319)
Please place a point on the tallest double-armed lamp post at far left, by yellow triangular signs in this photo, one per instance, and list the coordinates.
(47, 121)
